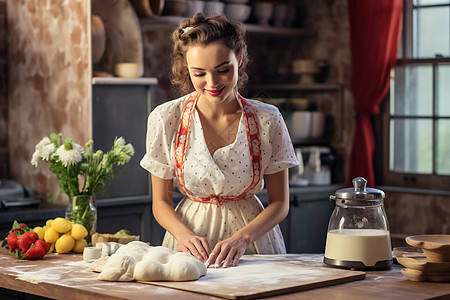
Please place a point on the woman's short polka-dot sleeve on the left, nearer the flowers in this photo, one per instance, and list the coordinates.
(161, 132)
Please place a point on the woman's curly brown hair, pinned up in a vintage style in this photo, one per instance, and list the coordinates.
(199, 30)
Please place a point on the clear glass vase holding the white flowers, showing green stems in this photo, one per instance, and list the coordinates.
(82, 209)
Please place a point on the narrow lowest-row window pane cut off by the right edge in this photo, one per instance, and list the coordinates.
(443, 151)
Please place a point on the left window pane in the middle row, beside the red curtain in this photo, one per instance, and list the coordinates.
(412, 94)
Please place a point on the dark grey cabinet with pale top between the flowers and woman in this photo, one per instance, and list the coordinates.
(120, 107)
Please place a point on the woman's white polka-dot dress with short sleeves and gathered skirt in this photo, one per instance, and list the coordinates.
(228, 172)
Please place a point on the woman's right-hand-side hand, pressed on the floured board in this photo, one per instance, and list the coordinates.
(228, 252)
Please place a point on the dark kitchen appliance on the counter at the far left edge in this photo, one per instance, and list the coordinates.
(14, 196)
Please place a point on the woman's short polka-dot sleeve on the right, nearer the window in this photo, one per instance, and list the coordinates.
(282, 154)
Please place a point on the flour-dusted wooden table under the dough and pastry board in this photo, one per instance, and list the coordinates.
(63, 277)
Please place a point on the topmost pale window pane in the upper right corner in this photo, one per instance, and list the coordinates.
(431, 32)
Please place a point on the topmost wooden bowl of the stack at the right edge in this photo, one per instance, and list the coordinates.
(435, 246)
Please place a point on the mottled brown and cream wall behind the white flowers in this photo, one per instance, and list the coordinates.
(49, 81)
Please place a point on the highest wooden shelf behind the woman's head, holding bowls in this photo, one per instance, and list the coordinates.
(169, 23)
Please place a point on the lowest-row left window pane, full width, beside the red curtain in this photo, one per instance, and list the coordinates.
(410, 146)
